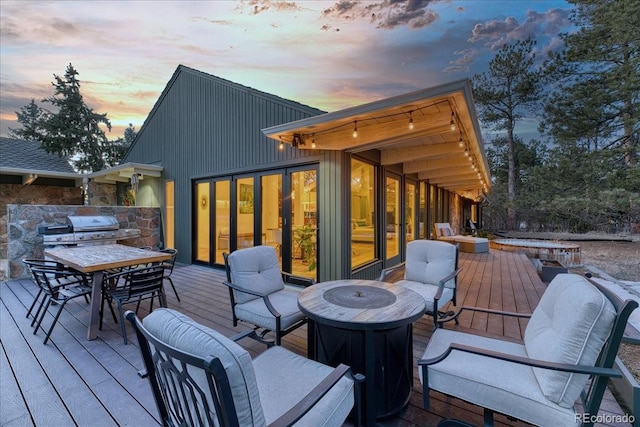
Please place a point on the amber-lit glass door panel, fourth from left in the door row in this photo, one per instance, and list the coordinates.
(271, 207)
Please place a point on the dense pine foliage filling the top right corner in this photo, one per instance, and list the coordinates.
(596, 103)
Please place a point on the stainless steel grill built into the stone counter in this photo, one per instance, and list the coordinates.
(86, 230)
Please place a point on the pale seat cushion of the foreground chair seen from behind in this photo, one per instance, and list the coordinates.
(284, 378)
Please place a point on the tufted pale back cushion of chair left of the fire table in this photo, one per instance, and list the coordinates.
(256, 269)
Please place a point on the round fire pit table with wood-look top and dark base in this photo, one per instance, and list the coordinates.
(367, 325)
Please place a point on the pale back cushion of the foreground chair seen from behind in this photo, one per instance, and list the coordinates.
(178, 330)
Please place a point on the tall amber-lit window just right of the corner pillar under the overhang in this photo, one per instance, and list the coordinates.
(363, 226)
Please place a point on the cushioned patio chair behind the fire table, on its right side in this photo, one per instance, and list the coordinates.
(431, 270)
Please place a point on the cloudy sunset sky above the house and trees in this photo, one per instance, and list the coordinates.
(326, 54)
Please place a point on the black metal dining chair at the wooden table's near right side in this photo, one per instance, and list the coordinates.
(132, 286)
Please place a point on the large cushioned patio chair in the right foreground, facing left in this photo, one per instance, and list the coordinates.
(570, 343)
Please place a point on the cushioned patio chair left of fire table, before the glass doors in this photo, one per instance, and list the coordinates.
(258, 293)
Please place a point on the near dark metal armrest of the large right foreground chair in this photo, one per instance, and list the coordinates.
(565, 367)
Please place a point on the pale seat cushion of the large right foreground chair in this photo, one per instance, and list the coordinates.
(504, 387)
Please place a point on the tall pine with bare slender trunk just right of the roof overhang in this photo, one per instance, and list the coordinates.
(510, 87)
